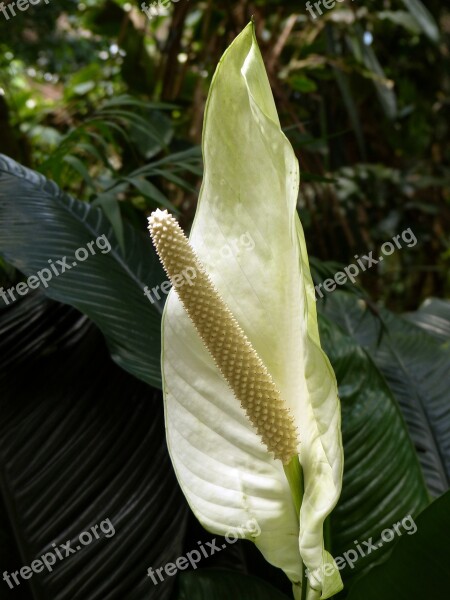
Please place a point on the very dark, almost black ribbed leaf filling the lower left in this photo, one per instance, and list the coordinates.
(82, 442)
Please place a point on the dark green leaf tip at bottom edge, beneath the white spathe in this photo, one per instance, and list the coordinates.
(223, 585)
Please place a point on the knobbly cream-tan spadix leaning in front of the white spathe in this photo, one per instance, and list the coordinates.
(230, 348)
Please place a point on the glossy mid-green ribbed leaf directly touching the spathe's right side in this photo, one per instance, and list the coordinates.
(383, 482)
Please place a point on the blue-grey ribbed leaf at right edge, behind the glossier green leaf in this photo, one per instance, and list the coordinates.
(417, 370)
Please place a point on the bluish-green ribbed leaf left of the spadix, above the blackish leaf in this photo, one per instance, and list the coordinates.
(39, 223)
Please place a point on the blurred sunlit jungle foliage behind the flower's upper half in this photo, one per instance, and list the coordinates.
(109, 104)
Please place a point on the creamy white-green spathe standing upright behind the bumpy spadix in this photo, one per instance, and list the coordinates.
(247, 234)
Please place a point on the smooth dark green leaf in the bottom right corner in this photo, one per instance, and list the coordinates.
(419, 567)
